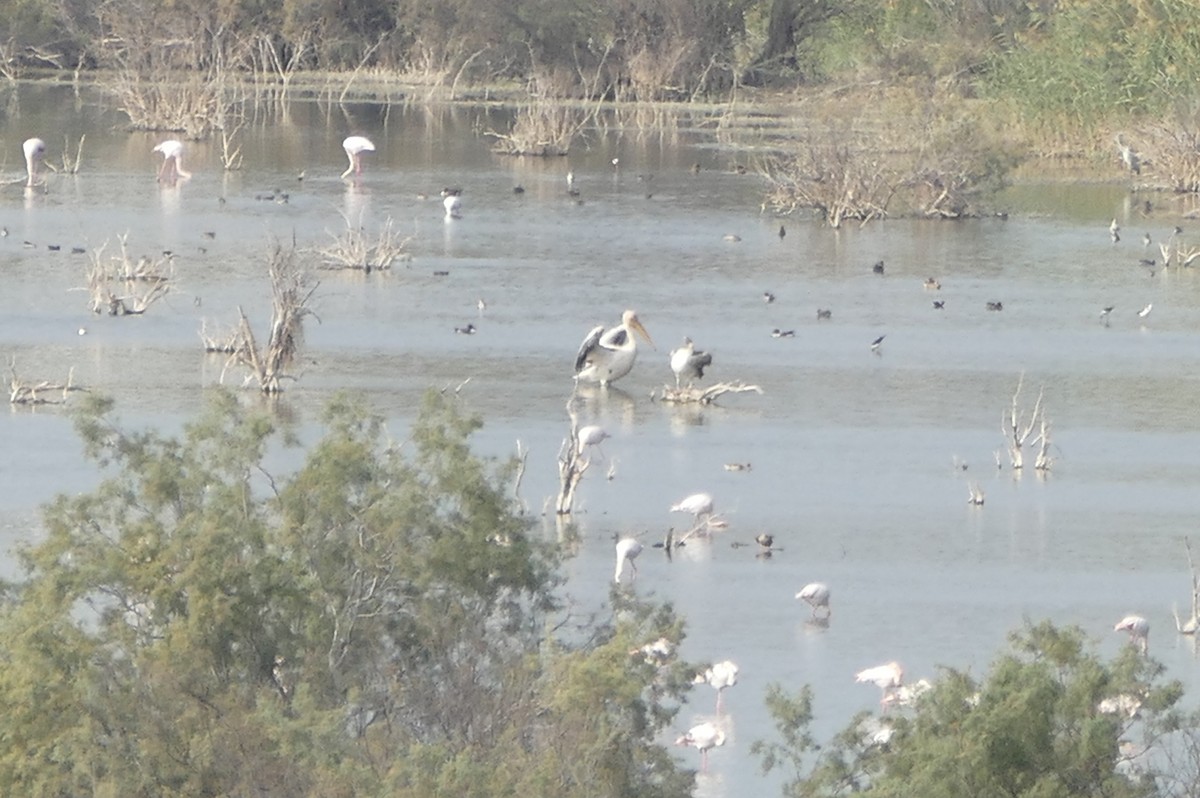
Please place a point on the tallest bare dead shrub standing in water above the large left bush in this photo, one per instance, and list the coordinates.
(268, 367)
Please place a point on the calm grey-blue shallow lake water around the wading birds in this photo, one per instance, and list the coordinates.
(853, 451)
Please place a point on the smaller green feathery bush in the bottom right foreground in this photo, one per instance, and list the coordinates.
(1034, 728)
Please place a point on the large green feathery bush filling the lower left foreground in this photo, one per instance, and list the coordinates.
(373, 625)
